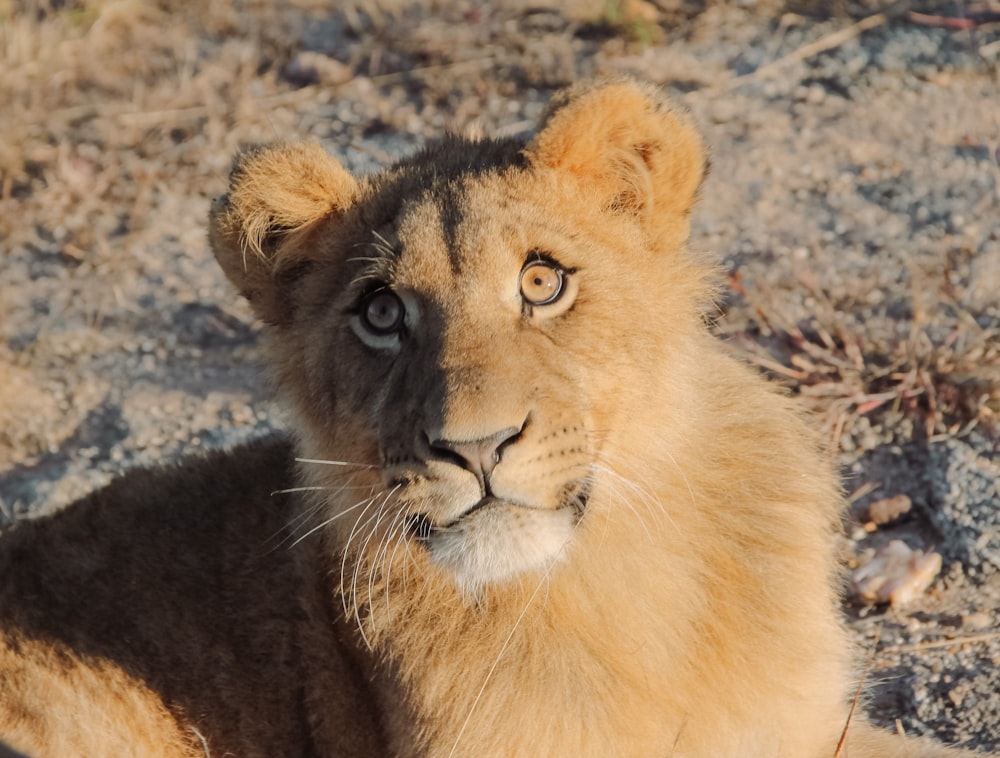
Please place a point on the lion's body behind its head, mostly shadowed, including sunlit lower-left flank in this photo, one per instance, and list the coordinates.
(186, 624)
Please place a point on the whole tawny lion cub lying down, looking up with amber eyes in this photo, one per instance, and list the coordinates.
(535, 509)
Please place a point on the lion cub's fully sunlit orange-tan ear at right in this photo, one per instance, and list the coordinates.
(638, 151)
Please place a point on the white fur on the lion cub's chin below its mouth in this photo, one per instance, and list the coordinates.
(497, 543)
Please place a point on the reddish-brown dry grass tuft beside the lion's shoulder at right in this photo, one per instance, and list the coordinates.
(934, 364)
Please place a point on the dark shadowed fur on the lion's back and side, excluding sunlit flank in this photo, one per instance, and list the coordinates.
(183, 576)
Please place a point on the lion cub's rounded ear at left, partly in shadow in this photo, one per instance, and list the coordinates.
(277, 195)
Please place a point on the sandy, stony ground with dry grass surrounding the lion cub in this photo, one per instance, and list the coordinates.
(853, 206)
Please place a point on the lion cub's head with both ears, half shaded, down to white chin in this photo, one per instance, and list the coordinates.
(468, 338)
